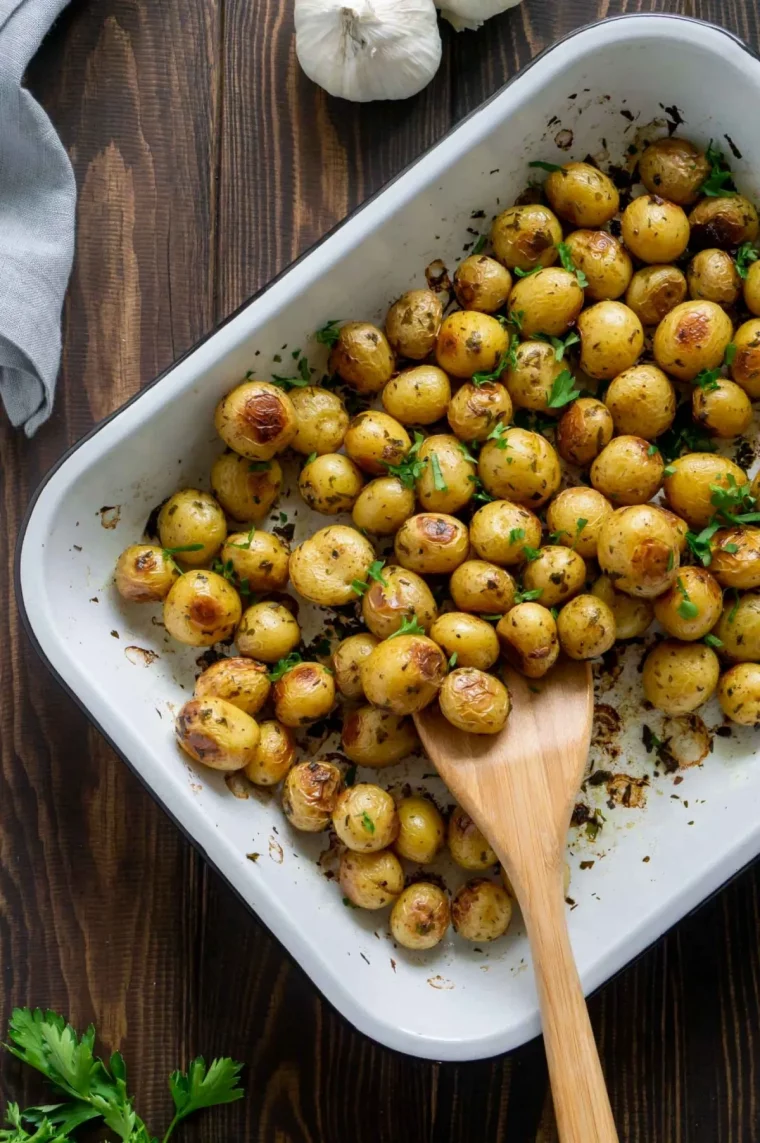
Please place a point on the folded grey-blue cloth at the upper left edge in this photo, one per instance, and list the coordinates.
(38, 199)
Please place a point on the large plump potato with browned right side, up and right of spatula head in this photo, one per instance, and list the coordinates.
(639, 551)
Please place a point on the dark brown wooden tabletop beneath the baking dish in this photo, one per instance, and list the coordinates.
(205, 164)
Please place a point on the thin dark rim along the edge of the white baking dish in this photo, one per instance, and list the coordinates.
(254, 298)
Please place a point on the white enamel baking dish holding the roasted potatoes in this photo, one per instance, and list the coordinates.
(651, 865)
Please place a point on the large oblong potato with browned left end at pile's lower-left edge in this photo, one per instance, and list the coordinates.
(217, 733)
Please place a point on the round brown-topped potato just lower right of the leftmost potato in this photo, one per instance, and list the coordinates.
(202, 609)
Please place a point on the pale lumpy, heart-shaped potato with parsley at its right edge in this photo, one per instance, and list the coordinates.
(324, 569)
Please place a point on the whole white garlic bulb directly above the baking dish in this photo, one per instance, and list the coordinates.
(369, 50)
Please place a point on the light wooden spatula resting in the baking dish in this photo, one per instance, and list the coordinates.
(519, 788)
